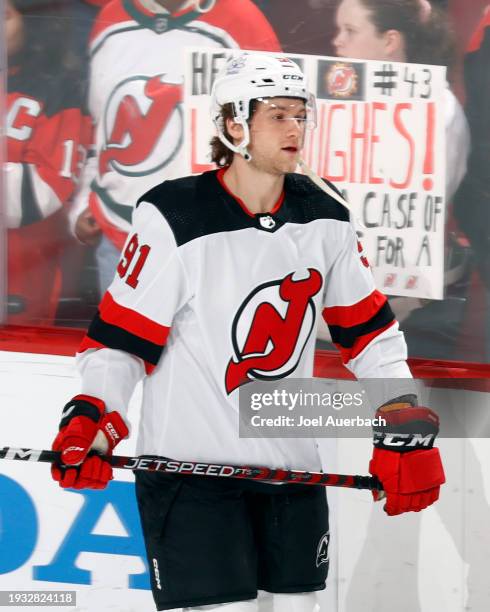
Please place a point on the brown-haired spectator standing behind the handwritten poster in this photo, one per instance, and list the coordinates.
(415, 31)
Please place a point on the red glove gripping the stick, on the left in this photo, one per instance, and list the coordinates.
(84, 427)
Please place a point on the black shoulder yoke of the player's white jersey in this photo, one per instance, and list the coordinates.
(196, 206)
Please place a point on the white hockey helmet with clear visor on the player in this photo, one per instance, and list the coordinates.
(253, 76)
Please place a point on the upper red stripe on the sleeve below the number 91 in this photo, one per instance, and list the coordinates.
(131, 321)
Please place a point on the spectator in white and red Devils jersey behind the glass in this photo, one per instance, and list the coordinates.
(137, 53)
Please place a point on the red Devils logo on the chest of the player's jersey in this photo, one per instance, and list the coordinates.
(271, 329)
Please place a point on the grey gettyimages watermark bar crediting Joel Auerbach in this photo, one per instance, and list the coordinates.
(324, 408)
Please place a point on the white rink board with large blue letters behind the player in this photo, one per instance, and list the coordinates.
(427, 562)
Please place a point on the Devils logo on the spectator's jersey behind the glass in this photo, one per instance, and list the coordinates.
(143, 126)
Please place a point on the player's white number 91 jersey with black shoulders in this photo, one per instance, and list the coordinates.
(208, 297)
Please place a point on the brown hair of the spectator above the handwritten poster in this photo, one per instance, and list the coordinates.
(428, 37)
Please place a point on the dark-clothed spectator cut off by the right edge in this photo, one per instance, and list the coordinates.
(472, 202)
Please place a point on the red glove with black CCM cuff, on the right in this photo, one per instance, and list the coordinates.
(404, 459)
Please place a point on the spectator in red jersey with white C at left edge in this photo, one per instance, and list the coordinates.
(46, 134)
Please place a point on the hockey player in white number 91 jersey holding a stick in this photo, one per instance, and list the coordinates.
(221, 281)
